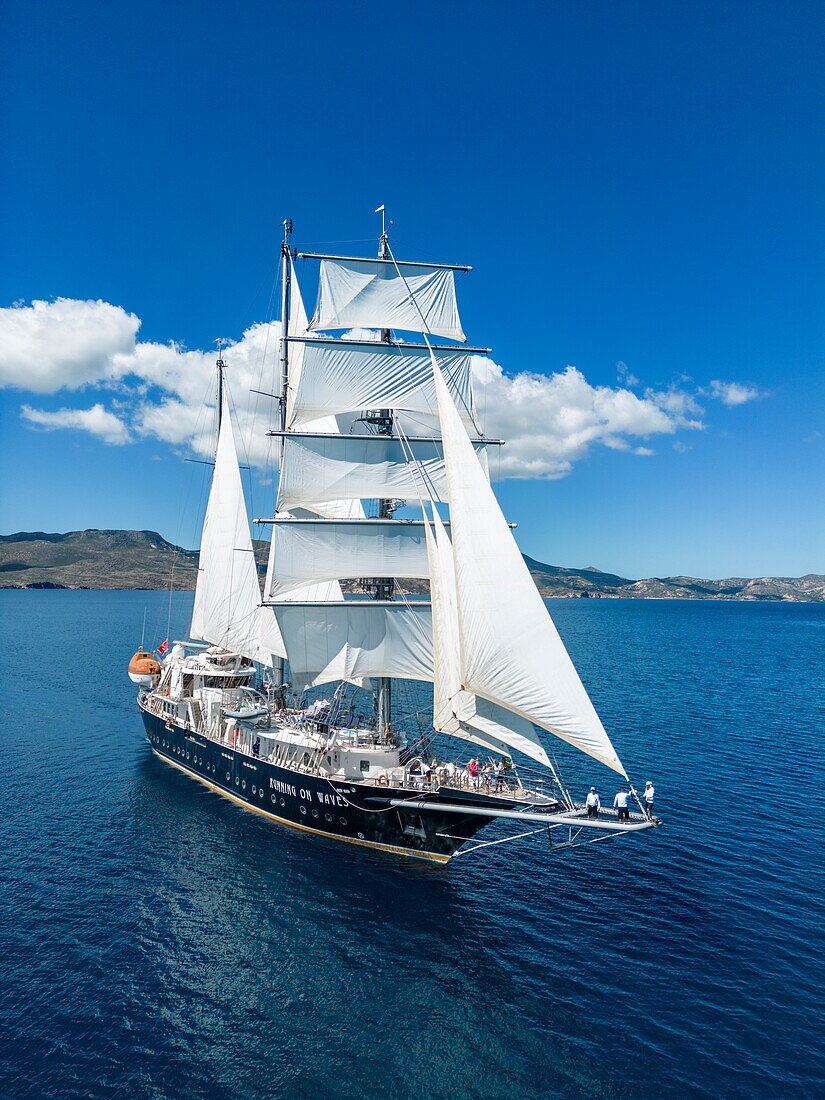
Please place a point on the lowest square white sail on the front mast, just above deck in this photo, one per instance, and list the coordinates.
(357, 640)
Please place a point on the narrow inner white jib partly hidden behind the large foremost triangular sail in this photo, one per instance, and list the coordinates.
(456, 711)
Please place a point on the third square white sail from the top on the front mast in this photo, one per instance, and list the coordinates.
(323, 468)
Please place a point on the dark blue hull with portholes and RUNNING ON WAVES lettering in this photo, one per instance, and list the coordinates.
(331, 808)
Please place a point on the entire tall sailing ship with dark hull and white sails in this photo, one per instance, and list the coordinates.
(383, 480)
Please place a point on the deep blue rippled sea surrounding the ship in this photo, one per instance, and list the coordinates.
(158, 941)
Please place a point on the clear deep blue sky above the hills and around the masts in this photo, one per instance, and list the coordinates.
(639, 188)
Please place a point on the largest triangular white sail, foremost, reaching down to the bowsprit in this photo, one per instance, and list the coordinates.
(511, 651)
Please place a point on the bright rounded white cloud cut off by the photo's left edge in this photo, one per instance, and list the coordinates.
(51, 345)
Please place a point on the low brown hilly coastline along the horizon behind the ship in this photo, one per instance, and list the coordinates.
(146, 560)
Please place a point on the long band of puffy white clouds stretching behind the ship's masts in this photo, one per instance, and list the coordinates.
(167, 392)
